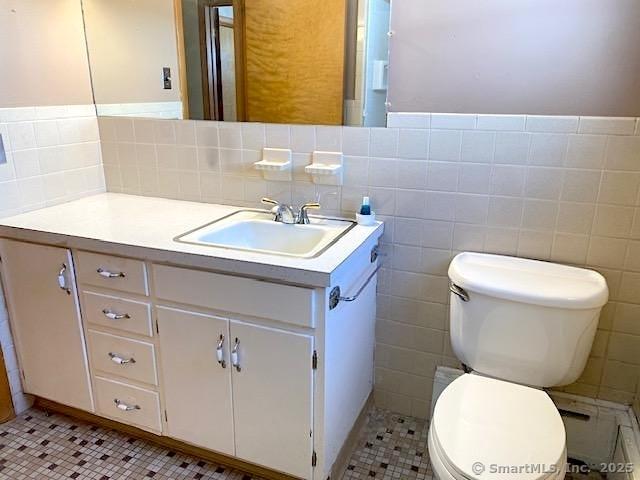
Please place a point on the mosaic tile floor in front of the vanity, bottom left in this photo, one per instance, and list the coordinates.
(34, 446)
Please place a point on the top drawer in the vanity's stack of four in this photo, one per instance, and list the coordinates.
(116, 273)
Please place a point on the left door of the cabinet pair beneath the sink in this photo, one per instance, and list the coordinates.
(197, 389)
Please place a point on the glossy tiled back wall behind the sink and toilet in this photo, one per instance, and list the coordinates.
(565, 189)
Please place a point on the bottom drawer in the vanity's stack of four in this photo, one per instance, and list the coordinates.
(128, 404)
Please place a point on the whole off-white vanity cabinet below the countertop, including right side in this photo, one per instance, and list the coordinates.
(272, 373)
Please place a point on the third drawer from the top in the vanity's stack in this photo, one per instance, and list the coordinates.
(122, 357)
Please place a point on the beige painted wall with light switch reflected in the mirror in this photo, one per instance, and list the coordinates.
(129, 43)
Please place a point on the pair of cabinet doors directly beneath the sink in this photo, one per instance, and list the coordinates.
(208, 360)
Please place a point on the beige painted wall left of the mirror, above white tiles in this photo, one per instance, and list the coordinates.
(42, 54)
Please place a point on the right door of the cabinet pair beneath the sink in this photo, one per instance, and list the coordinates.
(273, 398)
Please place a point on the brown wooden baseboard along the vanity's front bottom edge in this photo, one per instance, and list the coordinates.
(166, 442)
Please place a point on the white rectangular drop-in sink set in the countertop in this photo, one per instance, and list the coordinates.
(255, 230)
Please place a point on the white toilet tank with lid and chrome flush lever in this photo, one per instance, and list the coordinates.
(525, 321)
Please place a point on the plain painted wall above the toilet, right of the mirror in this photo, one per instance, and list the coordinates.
(572, 57)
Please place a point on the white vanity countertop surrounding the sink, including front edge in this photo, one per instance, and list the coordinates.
(145, 227)
